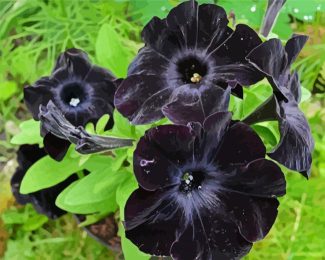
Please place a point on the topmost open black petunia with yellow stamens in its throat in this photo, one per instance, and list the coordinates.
(189, 60)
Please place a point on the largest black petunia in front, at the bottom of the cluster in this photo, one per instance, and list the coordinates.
(205, 193)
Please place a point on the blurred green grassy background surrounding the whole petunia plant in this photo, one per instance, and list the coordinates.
(34, 32)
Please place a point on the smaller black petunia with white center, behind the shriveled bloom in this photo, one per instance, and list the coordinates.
(82, 91)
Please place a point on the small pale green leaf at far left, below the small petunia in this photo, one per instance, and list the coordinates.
(30, 133)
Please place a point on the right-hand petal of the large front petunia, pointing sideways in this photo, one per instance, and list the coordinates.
(259, 178)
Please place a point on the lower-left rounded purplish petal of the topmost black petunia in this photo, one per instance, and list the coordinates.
(134, 91)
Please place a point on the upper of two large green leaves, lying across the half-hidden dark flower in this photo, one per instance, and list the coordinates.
(47, 172)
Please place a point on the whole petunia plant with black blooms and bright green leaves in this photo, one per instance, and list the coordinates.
(186, 153)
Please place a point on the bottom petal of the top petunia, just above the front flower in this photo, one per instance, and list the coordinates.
(192, 103)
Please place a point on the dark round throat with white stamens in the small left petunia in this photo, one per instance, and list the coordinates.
(73, 94)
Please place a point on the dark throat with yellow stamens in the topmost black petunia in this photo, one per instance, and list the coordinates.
(192, 70)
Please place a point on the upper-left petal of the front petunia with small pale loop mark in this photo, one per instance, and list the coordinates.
(153, 167)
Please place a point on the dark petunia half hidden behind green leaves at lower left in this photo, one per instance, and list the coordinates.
(43, 200)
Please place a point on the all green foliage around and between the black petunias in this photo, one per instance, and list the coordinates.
(32, 33)
